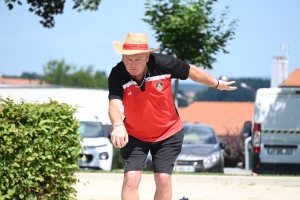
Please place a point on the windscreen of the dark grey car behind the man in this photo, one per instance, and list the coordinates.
(199, 135)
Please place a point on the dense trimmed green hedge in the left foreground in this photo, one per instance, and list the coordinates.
(39, 150)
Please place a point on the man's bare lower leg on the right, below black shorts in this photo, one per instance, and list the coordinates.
(163, 186)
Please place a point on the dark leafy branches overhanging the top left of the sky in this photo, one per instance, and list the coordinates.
(48, 9)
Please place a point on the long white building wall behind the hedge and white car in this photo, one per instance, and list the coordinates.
(90, 101)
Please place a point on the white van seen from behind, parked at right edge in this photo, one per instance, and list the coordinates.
(276, 131)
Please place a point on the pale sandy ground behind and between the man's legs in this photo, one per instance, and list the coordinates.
(101, 186)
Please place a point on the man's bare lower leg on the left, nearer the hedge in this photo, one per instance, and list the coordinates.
(131, 185)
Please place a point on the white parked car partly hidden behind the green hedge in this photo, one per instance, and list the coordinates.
(99, 149)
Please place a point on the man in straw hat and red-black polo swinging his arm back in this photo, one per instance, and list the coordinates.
(141, 84)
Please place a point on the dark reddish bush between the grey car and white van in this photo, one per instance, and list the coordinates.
(234, 150)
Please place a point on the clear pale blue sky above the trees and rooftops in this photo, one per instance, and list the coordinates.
(85, 39)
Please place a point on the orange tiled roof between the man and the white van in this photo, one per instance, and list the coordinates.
(224, 117)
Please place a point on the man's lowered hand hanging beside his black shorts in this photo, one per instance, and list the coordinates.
(119, 136)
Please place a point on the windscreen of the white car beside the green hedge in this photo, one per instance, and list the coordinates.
(91, 129)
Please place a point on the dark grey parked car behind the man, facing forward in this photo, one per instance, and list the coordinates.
(201, 151)
